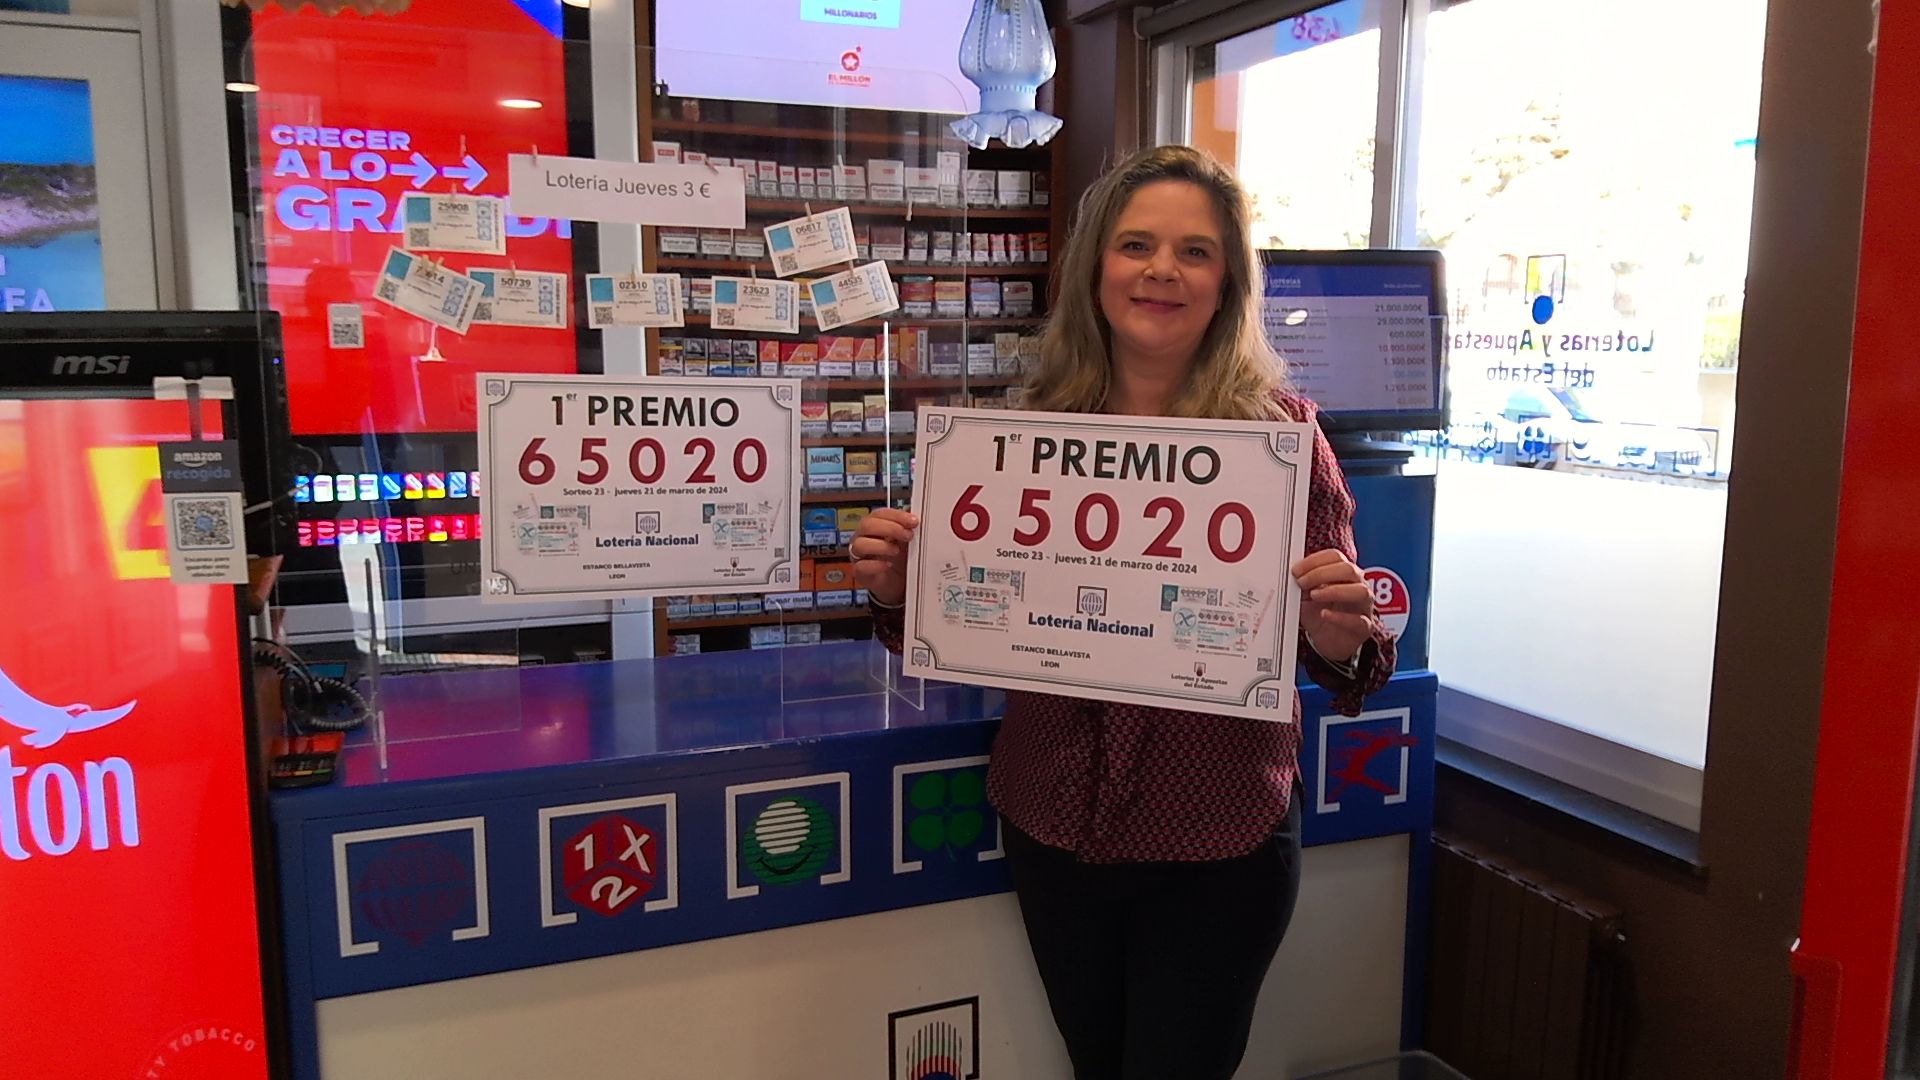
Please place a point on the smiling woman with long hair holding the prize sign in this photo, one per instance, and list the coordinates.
(1157, 854)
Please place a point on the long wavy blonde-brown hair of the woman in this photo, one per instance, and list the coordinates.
(1236, 372)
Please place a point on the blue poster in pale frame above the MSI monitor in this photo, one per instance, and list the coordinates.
(76, 191)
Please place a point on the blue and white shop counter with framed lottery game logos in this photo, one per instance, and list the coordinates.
(761, 864)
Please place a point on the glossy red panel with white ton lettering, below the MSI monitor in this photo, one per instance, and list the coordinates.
(126, 848)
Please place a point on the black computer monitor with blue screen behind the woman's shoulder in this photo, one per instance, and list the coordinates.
(1362, 333)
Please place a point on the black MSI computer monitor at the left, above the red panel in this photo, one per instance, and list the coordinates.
(120, 353)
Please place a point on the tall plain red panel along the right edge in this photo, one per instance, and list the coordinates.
(1856, 960)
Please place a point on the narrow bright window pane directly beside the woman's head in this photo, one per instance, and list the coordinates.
(1293, 107)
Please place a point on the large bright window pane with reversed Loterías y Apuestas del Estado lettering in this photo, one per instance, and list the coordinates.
(1589, 172)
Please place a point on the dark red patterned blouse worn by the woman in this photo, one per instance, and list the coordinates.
(1130, 783)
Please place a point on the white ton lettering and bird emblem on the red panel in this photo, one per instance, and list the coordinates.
(45, 806)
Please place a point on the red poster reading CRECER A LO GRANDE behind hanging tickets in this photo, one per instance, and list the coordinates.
(352, 112)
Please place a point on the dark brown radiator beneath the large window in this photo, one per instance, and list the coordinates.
(1527, 981)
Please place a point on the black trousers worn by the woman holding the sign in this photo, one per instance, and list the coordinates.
(1153, 970)
